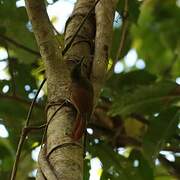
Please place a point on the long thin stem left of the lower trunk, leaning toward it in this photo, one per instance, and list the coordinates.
(24, 133)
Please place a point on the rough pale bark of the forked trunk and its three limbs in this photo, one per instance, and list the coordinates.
(60, 157)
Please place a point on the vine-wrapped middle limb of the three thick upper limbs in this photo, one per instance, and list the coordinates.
(83, 45)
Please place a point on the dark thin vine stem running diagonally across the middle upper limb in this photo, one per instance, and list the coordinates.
(79, 28)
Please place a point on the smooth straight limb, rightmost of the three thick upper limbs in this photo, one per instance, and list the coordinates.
(104, 12)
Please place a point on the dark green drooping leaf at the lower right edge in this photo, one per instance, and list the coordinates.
(160, 130)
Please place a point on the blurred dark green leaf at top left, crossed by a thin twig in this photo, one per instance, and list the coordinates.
(15, 24)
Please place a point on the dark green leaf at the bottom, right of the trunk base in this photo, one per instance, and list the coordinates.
(115, 166)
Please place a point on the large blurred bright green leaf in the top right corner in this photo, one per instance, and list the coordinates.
(153, 38)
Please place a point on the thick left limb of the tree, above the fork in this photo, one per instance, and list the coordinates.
(42, 28)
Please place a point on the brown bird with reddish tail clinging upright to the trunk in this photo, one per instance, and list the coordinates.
(81, 97)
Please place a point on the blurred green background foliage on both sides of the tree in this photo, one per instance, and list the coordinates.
(149, 96)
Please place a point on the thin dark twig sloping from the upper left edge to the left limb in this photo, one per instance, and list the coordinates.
(19, 45)
